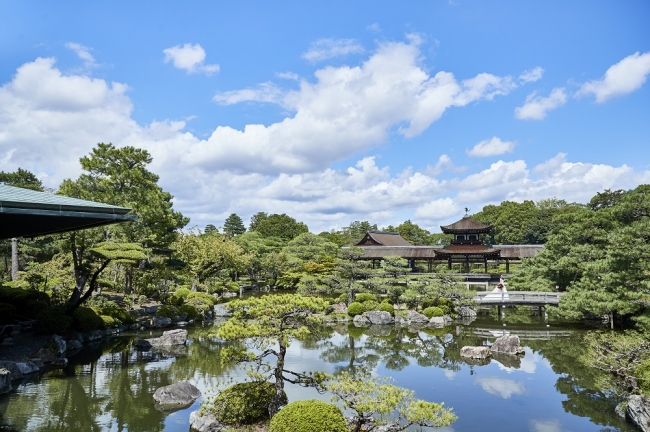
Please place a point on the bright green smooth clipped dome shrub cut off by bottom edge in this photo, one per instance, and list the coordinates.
(309, 416)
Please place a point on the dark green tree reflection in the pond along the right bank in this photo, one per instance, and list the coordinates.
(578, 381)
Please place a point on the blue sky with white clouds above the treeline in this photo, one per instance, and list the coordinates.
(337, 111)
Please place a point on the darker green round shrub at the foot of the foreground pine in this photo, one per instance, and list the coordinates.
(244, 403)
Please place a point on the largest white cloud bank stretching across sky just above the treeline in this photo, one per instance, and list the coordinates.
(49, 119)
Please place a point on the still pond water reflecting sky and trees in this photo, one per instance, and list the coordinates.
(109, 387)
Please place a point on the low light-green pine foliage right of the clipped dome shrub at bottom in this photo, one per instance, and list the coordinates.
(372, 397)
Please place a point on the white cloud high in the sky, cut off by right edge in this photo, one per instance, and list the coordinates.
(620, 79)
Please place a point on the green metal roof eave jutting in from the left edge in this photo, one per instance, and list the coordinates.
(28, 213)
